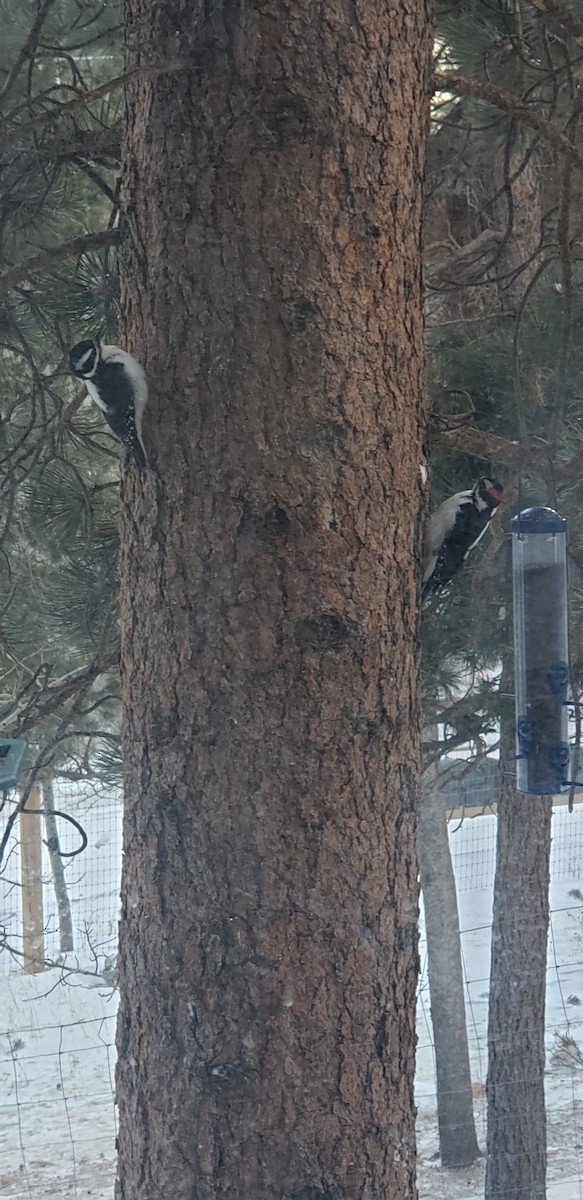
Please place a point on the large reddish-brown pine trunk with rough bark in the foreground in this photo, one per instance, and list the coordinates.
(269, 581)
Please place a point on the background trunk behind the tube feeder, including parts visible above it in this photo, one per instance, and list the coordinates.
(516, 1118)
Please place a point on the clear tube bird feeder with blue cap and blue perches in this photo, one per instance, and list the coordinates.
(542, 652)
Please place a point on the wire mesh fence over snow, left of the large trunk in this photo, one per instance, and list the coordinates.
(58, 1005)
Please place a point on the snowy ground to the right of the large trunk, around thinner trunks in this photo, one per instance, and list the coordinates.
(474, 850)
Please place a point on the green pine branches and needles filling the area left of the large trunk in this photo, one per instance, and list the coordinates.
(58, 487)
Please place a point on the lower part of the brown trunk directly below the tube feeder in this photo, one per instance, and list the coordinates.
(516, 1145)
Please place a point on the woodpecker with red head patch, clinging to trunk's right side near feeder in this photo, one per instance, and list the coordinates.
(455, 529)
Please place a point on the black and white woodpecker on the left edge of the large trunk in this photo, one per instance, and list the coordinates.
(118, 386)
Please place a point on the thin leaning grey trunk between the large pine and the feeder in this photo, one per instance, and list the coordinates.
(458, 1135)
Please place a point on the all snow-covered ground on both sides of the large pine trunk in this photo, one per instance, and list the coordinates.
(57, 1039)
